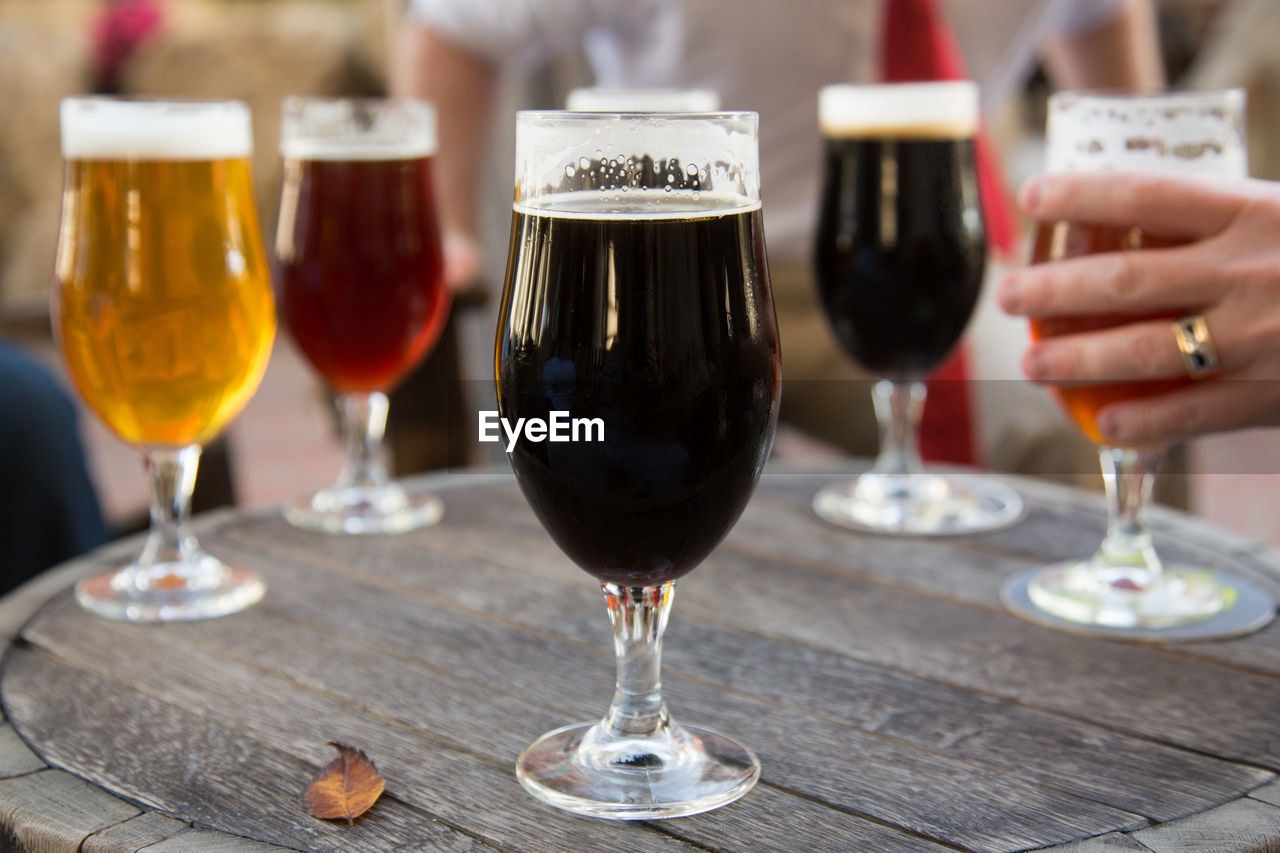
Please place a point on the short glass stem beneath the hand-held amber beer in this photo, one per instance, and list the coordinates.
(1130, 477)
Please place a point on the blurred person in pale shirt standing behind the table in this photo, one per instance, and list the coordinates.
(771, 58)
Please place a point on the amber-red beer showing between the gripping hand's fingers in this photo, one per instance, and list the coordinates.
(1067, 240)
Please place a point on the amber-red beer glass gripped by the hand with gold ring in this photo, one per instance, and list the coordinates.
(1126, 586)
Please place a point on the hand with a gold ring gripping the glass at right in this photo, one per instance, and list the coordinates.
(1229, 272)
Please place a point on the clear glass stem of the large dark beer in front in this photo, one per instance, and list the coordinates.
(639, 618)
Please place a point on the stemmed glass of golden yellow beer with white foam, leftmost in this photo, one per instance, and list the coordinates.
(162, 307)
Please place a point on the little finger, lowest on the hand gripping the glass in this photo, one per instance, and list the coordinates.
(1203, 408)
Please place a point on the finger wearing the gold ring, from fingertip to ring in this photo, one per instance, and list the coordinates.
(1135, 352)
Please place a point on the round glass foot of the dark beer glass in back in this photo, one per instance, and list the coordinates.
(920, 505)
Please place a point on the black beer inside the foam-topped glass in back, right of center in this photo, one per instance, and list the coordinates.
(900, 248)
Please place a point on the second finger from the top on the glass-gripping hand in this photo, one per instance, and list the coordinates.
(1156, 280)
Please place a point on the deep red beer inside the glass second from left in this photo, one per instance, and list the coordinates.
(362, 271)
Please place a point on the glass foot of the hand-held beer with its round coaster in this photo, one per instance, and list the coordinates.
(1186, 605)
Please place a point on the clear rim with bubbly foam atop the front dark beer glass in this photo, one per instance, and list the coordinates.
(637, 165)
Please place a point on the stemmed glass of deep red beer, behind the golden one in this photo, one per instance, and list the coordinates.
(362, 286)
